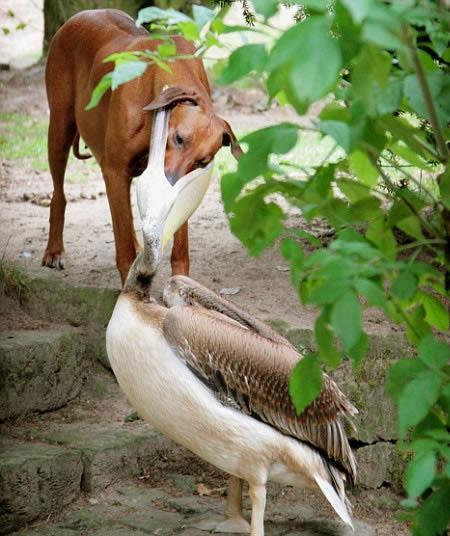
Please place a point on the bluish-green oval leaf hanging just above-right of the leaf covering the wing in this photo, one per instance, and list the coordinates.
(346, 319)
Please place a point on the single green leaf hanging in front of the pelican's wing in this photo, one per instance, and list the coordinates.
(305, 382)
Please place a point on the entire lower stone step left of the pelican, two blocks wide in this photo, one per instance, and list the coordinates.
(41, 477)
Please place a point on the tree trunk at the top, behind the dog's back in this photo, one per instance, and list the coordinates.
(56, 12)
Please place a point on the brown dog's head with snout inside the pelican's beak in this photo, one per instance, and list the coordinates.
(195, 132)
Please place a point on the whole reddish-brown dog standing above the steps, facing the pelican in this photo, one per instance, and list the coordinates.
(117, 131)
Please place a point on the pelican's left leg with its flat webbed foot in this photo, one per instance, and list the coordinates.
(234, 521)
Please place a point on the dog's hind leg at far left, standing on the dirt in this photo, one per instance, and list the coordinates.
(61, 133)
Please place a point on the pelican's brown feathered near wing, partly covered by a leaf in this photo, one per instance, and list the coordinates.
(253, 372)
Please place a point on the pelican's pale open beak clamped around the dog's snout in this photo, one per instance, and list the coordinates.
(164, 208)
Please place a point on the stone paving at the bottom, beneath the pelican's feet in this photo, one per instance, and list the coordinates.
(138, 509)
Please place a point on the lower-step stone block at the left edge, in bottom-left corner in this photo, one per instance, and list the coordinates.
(35, 480)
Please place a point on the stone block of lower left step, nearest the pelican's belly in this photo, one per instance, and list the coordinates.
(109, 452)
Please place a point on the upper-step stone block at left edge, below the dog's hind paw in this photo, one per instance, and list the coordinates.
(40, 370)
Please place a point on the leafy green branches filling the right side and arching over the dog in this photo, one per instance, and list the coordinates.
(383, 69)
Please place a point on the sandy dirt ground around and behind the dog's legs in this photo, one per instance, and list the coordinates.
(218, 259)
